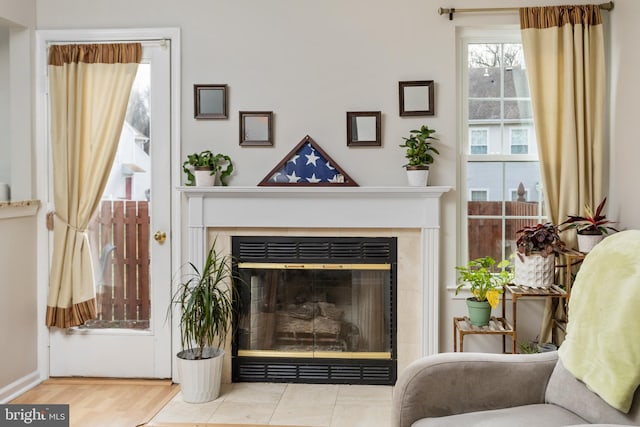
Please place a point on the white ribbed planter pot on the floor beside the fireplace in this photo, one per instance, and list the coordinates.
(200, 379)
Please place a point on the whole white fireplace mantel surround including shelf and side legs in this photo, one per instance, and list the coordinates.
(326, 207)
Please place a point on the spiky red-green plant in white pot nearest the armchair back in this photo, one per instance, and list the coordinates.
(590, 228)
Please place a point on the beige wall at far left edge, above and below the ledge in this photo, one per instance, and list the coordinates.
(18, 304)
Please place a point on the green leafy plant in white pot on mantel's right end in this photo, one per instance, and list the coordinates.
(419, 152)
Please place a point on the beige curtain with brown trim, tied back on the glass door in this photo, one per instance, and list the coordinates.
(89, 89)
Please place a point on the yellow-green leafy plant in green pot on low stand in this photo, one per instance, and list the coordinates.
(486, 282)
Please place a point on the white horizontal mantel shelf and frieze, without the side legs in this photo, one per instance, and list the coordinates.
(304, 206)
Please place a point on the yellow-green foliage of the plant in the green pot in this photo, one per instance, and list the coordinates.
(482, 278)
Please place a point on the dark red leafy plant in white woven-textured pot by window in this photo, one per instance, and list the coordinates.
(535, 261)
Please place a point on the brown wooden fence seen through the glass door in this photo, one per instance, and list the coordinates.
(120, 238)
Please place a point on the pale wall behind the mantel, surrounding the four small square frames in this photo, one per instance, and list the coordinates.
(310, 62)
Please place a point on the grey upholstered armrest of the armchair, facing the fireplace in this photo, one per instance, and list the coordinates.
(455, 383)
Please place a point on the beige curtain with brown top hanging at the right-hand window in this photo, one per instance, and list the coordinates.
(564, 52)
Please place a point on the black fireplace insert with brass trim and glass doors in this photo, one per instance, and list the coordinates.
(315, 309)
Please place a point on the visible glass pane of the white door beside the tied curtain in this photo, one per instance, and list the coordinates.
(119, 234)
